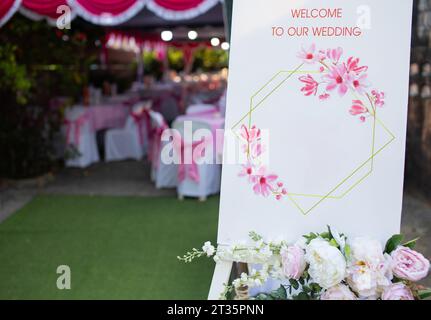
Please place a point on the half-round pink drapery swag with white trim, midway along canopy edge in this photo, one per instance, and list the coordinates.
(107, 12)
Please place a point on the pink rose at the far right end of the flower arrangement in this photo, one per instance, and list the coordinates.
(409, 265)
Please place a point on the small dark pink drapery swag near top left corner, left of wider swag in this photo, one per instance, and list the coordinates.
(43, 9)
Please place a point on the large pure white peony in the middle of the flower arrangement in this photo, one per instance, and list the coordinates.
(327, 263)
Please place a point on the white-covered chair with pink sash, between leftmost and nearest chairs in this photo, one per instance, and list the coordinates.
(130, 142)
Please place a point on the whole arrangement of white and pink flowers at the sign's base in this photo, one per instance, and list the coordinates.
(326, 266)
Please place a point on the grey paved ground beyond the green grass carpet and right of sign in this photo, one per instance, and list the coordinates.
(132, 179)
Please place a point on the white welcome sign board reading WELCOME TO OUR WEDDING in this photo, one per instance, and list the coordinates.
(329, 81)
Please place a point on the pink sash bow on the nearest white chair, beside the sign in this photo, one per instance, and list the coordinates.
(191, 170)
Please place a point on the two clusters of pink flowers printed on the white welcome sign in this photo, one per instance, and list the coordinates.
(334, 75)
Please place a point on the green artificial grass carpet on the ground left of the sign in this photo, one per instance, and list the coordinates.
(116, 247)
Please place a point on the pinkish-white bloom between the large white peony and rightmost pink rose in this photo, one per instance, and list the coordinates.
(369, 271)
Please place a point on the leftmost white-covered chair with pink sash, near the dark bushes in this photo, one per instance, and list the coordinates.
(78, 131)
